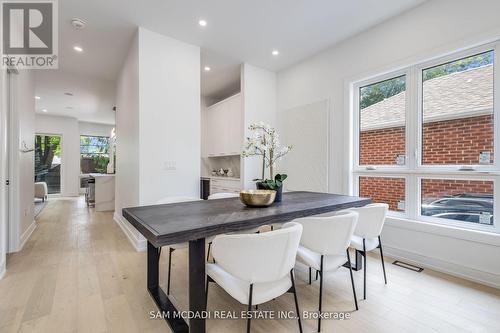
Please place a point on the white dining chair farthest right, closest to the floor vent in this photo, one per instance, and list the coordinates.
(367, 234)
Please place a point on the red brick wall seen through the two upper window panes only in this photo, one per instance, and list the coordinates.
(457, 141)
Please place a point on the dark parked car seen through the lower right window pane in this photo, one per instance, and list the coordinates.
(467, 207)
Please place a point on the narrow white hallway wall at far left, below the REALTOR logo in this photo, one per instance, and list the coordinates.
(21, 168)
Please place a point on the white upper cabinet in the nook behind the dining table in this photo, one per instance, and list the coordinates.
(223, 133)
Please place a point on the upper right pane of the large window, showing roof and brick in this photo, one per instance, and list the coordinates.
(457, 111)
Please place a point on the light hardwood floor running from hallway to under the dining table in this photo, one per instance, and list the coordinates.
(79, 273)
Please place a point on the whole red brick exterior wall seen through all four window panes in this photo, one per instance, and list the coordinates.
(457, 141)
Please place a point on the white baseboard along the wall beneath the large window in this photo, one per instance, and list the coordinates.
(486, 278)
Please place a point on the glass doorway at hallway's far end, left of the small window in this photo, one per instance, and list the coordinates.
(48, 161)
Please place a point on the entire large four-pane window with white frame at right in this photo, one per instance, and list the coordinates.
(425, 140)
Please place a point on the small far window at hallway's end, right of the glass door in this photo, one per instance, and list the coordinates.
(94, 154)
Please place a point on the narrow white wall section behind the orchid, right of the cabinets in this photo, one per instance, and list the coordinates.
(258, 88)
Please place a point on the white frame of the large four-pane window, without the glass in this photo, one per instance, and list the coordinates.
(413, 170)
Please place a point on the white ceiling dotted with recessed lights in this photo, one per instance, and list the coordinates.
(238, 31)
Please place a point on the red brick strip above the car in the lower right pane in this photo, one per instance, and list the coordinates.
(437, 188)
